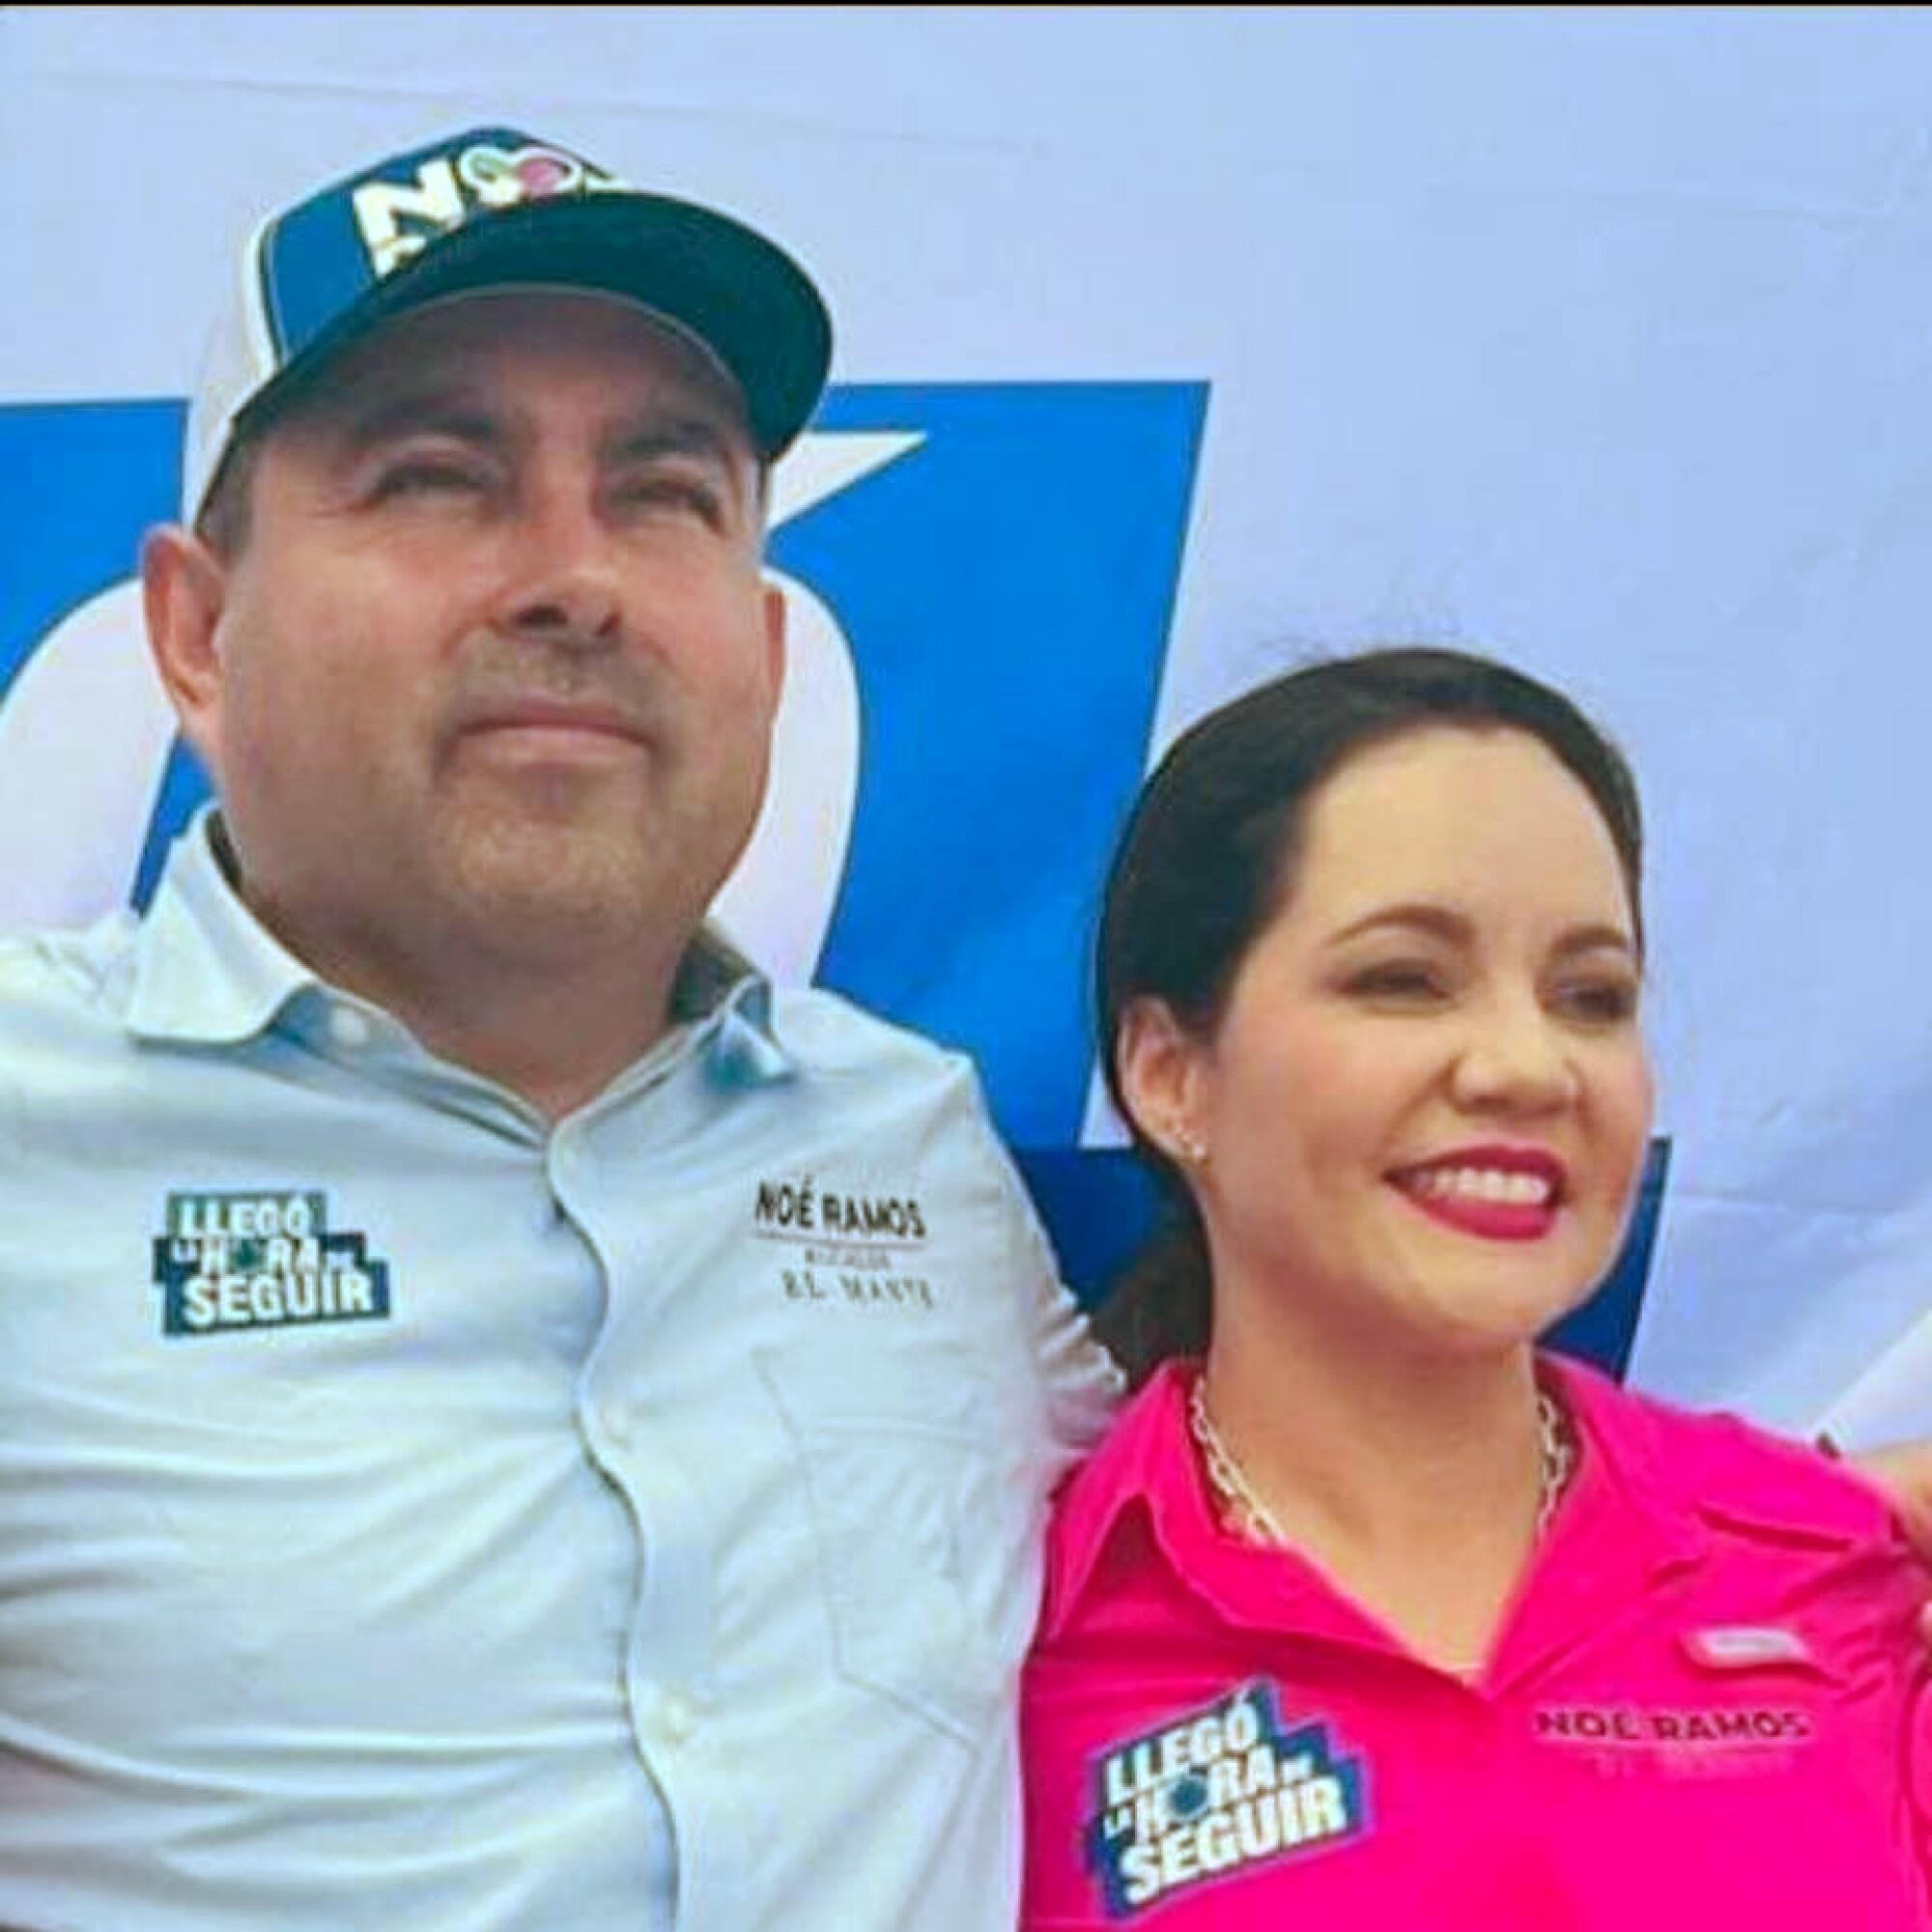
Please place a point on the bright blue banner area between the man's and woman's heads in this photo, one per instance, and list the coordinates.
(1008, 592)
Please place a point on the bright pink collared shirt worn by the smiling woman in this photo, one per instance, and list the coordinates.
(1705, 1709)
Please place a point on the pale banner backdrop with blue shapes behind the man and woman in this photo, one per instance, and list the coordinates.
(1603, 341)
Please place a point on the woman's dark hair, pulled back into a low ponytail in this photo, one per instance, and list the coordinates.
(1208, 859)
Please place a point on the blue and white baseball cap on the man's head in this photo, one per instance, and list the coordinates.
(503, 210)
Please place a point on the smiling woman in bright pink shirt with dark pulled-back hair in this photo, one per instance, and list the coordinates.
(1369, 1614)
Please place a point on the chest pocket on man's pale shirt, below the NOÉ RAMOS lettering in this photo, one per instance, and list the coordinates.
(892, 1463)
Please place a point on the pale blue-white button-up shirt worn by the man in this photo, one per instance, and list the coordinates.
(418, 1516)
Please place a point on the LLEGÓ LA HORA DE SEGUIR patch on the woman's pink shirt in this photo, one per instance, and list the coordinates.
(1214, 1794)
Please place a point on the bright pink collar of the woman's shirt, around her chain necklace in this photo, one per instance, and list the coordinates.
(1147, 1475)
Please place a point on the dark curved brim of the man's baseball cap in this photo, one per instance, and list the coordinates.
(731, 289)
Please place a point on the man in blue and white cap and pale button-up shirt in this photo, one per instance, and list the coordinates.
(505, 1421)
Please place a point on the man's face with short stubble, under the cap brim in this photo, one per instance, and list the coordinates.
(496, 664)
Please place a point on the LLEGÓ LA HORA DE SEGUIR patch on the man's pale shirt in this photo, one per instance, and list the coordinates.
(262, 1259)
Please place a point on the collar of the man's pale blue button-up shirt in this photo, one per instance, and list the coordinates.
(208, 973)
